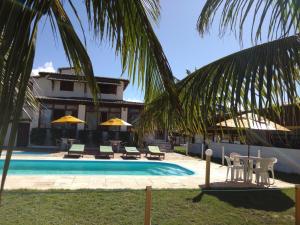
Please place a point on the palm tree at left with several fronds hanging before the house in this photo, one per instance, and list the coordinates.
(126, 25)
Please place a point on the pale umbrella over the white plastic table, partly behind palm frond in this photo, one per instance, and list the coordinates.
(251, 121)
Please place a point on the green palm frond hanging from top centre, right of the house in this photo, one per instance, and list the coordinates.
(126, 25)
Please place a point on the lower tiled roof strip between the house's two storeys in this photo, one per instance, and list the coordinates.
(75, 100)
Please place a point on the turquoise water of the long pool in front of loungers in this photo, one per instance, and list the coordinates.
(97, 167)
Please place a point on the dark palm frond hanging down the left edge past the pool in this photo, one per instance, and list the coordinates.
(17, 48)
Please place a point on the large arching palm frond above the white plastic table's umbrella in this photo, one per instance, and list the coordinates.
(254, 79)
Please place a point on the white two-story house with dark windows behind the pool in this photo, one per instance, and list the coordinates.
(65, 93)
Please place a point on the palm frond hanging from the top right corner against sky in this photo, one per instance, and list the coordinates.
(280, 17)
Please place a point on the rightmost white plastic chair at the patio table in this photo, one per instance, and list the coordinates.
(261, 173)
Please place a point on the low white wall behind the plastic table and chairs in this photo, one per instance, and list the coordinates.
(288, 159)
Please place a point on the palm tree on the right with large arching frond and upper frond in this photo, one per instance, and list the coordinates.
(262, 77)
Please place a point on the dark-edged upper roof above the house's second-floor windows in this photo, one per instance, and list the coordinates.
(79, 78)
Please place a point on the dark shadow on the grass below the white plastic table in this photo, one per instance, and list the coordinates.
(268, 200)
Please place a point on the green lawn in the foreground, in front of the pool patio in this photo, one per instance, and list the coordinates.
(170, 207)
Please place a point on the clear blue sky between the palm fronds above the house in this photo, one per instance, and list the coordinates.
(181, 42)
